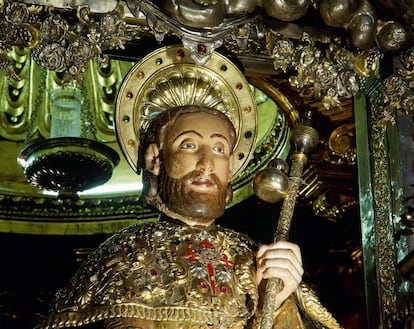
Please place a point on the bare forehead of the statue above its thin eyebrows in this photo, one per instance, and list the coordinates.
(205, 124)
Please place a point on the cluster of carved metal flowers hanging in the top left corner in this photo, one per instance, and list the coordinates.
(57, 43)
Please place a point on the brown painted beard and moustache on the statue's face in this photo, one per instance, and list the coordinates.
(178, 196)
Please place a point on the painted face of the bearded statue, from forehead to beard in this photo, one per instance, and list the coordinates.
(197, 157)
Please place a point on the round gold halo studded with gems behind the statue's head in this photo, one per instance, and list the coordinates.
(169, 77)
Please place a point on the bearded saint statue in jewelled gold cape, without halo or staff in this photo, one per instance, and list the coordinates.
(182, 271)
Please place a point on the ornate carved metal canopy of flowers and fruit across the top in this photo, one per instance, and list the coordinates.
(64, 39)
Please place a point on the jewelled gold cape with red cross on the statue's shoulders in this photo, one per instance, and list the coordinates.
(168, 274)
